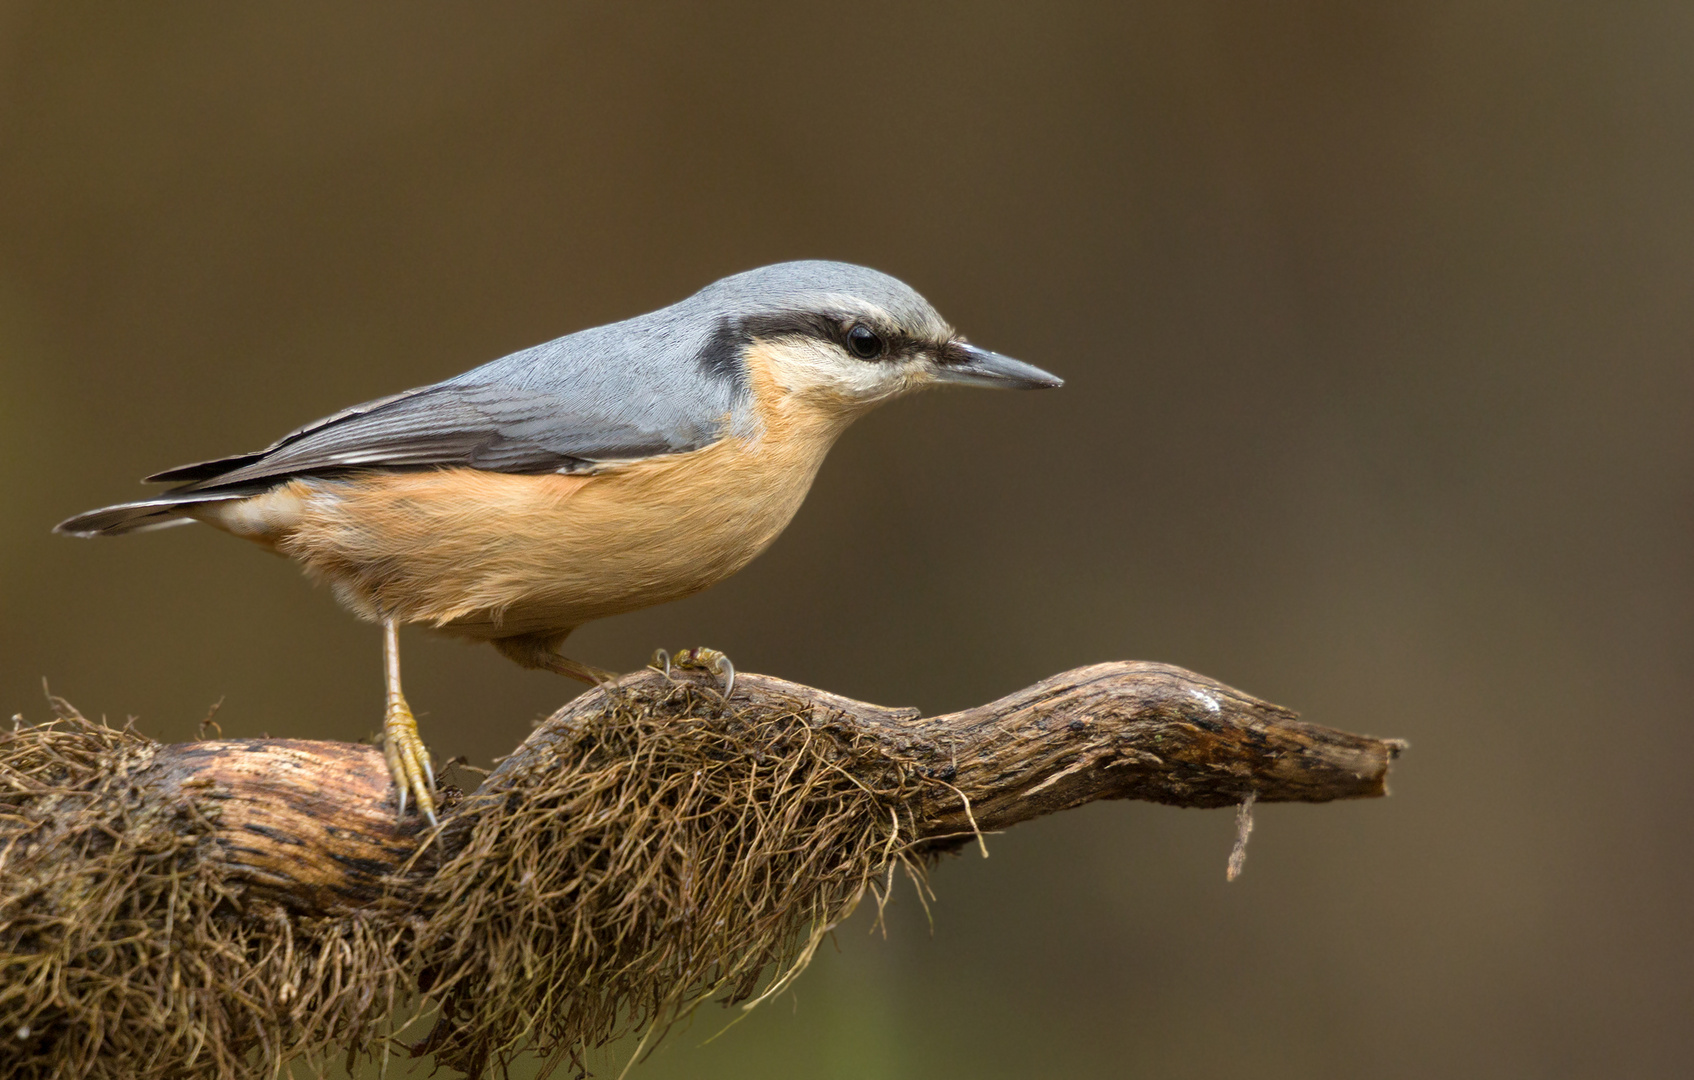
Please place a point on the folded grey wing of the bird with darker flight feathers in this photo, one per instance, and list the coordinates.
(501, 429)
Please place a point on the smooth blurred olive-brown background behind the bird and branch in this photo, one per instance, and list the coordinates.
(1376, 322)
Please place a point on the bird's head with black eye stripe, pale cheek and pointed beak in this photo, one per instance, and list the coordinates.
(843, 338)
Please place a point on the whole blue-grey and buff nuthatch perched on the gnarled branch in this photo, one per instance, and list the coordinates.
(606, 471)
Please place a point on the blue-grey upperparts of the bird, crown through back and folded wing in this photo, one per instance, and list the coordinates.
(660, 383)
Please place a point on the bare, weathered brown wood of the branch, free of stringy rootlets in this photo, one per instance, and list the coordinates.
(313, 824)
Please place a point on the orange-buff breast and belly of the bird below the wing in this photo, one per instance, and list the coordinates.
(492, 556)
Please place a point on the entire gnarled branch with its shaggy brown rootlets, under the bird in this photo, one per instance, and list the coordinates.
(174, 910)
